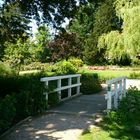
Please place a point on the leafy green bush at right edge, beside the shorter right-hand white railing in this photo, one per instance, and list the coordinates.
(129, 109)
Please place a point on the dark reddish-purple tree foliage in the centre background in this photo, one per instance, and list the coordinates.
(64, 46)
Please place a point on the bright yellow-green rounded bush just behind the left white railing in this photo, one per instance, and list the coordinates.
(64, 67)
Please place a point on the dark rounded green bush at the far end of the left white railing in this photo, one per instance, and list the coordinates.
(90, 83)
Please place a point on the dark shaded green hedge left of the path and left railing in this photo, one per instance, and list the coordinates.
(20, 97)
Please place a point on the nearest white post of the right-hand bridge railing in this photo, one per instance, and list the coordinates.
(109, 98)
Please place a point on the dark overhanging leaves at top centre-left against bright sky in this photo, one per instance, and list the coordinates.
(53, 12)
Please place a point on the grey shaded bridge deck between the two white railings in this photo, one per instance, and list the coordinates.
(87, 105)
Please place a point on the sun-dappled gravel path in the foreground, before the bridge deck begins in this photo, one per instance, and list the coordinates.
(51, 127)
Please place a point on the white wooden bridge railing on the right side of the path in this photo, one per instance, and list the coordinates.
(116, 90)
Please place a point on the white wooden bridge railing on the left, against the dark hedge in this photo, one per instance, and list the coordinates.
(60, 87)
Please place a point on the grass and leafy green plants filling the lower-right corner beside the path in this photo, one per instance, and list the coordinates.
(122, 124)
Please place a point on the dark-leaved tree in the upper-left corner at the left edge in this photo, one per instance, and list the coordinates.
(13, 25)
